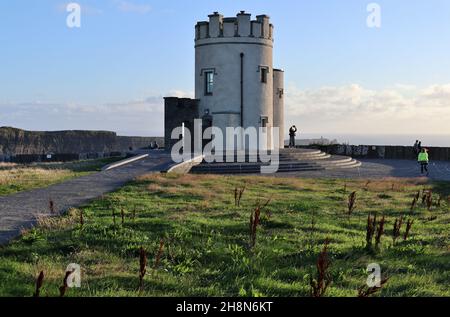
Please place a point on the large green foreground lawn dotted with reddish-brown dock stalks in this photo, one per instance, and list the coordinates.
(206, 240)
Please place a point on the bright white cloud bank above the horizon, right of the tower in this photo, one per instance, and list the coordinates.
(355, 109)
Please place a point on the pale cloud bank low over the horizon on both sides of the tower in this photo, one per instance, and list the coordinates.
(400, 109)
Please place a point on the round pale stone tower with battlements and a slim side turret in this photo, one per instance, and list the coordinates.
(234, 74)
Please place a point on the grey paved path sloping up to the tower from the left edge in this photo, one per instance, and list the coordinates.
(19, 211)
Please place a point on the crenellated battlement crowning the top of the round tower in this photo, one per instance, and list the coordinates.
(240, 26)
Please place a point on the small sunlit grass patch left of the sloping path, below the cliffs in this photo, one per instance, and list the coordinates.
(15, 178)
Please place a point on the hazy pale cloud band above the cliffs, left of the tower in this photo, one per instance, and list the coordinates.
(137, 117)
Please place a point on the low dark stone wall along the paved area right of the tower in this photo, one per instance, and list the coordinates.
(383, 152)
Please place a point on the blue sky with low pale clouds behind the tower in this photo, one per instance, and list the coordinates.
(342, 77)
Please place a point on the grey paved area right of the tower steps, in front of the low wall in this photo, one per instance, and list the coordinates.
(372, 169)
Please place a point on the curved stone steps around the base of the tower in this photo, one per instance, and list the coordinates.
(290, 160)
